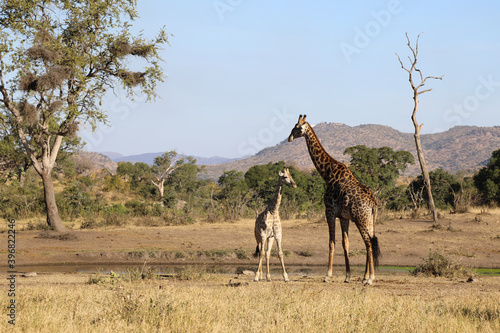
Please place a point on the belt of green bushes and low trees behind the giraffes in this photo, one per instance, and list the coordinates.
(170, 191)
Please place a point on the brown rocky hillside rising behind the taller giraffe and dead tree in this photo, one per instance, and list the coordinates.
(460, 148)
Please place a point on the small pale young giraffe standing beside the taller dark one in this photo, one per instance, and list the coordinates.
(268, 227)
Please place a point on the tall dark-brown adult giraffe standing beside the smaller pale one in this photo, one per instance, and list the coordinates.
(345, 198)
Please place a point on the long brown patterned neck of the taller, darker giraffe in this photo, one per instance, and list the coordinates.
(329, 168)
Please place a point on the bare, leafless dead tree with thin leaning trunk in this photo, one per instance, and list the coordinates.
(418, 127)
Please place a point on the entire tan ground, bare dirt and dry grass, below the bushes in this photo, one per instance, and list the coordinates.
(194, 300)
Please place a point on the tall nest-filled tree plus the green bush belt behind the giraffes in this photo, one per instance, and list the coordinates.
(53, 76)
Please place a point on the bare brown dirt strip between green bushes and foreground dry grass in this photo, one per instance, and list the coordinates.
(472, 239)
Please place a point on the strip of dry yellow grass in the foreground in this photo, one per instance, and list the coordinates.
(212, 305)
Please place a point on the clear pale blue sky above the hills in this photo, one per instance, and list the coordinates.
(239, 72)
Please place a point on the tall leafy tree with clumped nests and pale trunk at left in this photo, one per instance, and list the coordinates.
(57, 60)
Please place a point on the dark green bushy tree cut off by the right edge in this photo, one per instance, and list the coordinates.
(487, 179)
